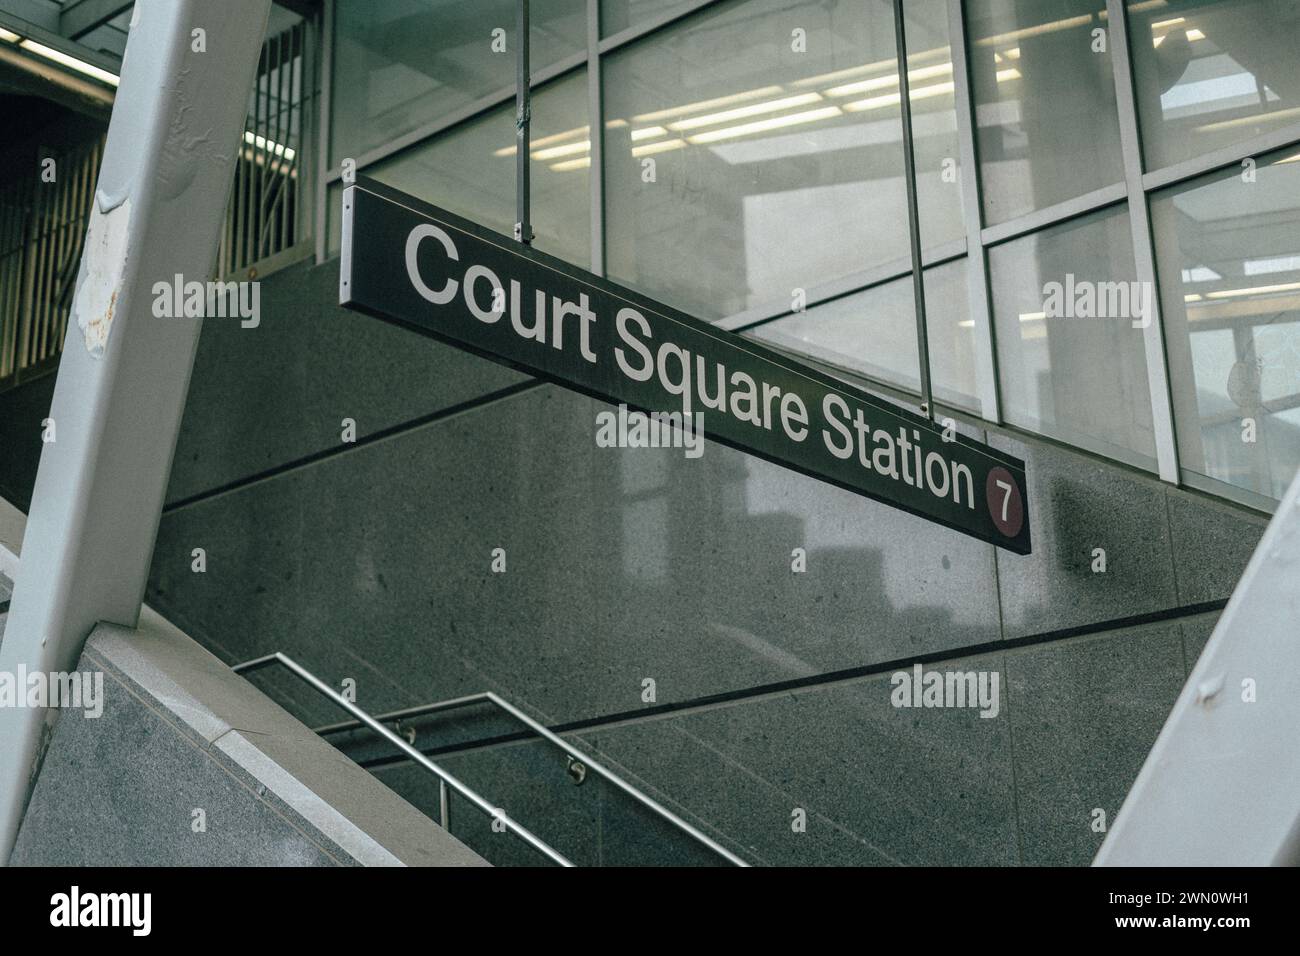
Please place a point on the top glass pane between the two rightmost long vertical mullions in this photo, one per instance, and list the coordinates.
(1046, 114)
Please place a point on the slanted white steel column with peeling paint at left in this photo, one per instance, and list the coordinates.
(176, 132)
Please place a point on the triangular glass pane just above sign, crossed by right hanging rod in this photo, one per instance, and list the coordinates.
(873, 332)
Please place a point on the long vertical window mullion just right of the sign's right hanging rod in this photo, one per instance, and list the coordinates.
(973, 215)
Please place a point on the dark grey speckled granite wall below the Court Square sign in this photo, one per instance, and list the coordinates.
(372, 561)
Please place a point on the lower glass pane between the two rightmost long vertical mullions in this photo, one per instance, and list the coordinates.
(1072, 361)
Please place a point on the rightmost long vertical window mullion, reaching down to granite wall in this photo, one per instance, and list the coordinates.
(1145, 254)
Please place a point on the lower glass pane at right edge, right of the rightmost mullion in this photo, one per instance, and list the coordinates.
(1229, 259)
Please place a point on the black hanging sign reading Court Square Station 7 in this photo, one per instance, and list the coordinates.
(423, 269)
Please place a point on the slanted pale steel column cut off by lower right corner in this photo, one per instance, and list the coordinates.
(1221, 788)
